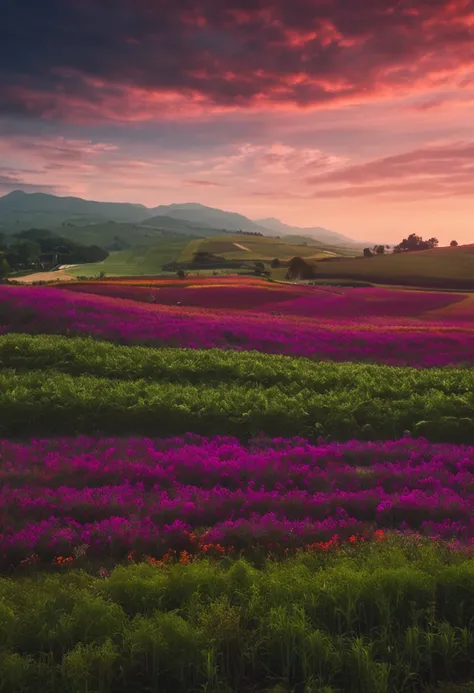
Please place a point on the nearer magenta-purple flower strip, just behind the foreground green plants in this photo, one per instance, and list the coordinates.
(109, 497)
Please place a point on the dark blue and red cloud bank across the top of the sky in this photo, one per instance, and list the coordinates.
(120, 59)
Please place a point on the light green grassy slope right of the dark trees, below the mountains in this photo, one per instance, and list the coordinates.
(147, 261)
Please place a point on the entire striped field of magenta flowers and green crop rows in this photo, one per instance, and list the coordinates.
(231, 485)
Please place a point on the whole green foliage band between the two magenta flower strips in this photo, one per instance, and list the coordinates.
(62, 385)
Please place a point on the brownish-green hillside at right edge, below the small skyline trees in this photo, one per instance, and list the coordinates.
(451, 268)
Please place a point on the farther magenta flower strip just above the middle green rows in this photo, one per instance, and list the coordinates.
(52, 311)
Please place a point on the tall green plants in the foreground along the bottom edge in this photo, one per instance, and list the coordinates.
(386, 618)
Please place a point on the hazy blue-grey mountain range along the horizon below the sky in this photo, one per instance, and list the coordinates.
(20, 210)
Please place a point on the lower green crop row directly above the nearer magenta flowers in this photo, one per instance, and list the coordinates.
(54, 403)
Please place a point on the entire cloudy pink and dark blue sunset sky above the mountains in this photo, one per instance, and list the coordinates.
(354, 115)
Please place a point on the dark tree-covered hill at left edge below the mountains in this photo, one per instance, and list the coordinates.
(42, 249)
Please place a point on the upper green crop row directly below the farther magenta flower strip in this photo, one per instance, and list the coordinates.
(79, 356)
